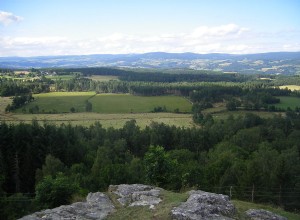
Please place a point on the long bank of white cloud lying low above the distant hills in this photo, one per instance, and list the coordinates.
(230, 38)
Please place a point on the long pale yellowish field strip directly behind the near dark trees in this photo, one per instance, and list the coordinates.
(106, 120)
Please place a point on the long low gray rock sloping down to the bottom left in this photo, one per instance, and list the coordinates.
(97, 206)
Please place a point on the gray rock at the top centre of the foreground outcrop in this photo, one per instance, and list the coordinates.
(136, 195)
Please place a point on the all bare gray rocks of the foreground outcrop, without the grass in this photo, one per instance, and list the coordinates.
(199, 205)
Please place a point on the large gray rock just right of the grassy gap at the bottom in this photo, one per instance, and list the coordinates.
(204, 205)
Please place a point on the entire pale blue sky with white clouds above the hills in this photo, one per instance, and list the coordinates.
(81, 27)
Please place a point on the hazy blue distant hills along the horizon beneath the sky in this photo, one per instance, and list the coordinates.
(272, 63)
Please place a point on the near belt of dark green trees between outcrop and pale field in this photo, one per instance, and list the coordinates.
(242, 151)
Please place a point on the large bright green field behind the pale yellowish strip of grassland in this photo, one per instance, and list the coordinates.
(62, 102)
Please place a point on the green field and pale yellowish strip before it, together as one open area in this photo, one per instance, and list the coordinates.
(111, 110)
